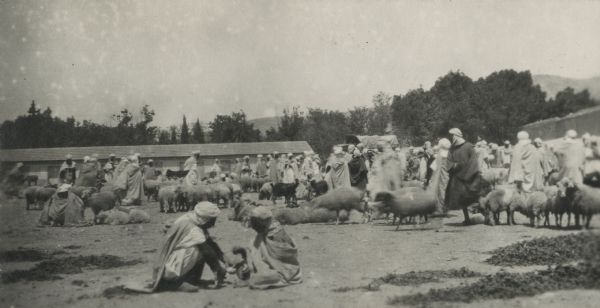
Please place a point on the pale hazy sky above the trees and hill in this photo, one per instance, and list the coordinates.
(89, 59)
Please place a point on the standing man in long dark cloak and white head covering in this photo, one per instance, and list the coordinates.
(465, 177)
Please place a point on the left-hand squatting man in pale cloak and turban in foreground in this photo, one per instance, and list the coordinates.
(185, 251)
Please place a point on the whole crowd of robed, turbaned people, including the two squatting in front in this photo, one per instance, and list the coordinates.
(452, 169)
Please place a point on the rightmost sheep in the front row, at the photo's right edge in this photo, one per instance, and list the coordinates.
(582, 199)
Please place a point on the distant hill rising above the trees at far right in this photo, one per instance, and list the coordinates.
(552, 84)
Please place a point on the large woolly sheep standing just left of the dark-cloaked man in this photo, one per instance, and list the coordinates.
(406, 202)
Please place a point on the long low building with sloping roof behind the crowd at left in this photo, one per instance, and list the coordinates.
(45, 162)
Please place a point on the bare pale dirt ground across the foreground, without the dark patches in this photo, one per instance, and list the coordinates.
(331, 257)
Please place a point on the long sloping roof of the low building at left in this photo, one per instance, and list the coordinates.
(155, 151)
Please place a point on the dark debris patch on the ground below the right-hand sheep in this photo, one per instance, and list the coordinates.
(544, 250)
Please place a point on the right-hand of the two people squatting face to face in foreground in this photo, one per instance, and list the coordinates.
(272, 258)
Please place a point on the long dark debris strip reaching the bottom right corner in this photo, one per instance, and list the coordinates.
(505, 285)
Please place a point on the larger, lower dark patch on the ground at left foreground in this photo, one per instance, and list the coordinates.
(50, 269)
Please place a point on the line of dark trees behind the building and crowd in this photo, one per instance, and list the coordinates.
(492, 107)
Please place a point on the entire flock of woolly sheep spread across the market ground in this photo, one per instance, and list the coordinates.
(411, 203)
